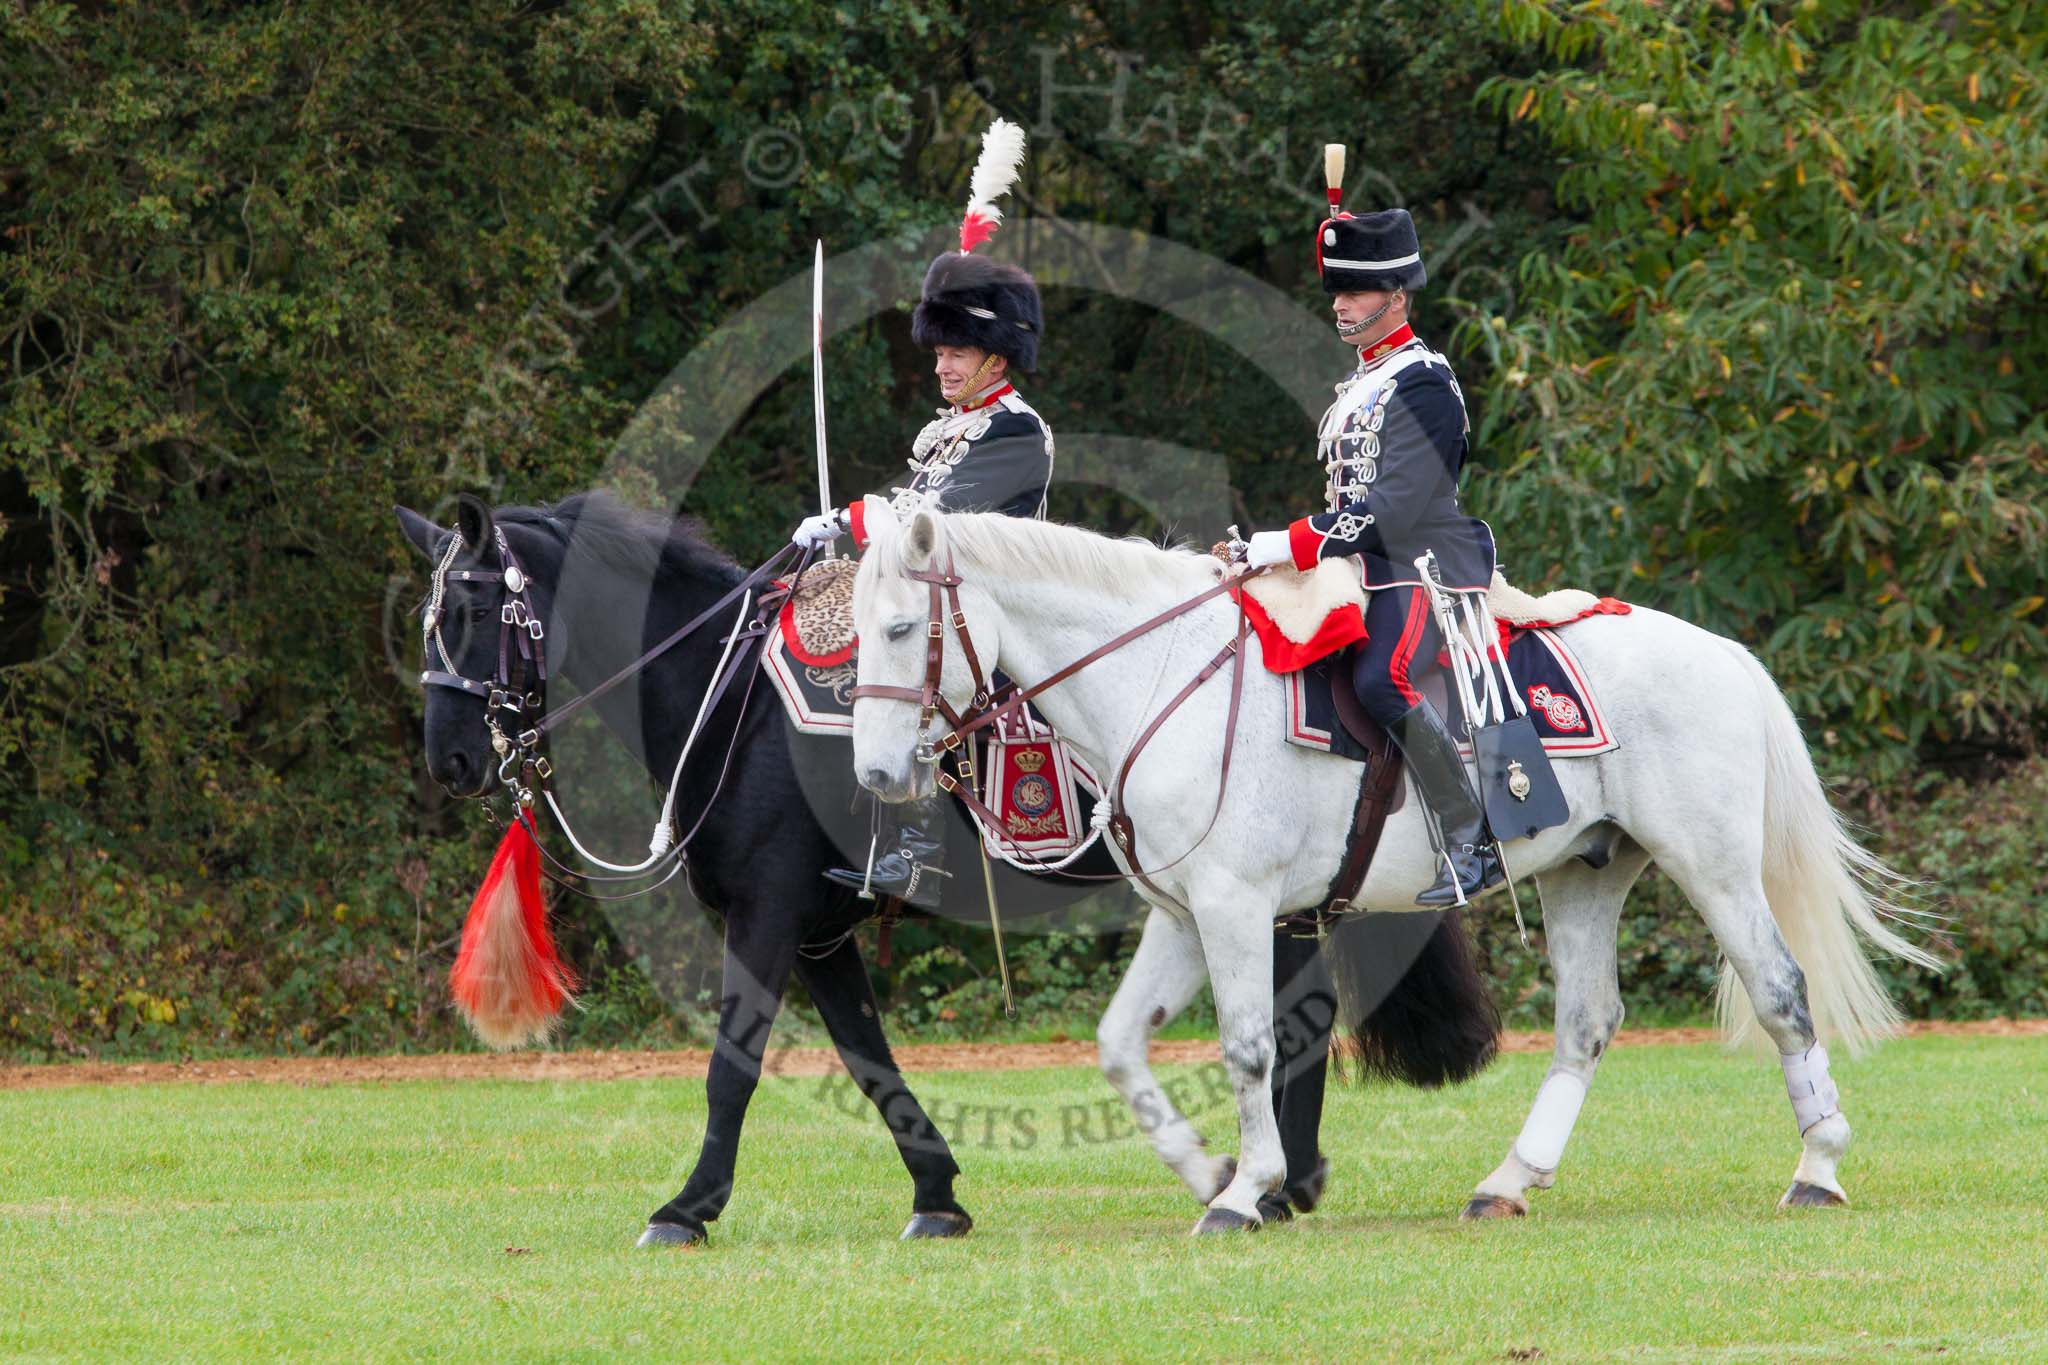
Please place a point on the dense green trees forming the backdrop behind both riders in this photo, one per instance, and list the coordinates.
(267, 271)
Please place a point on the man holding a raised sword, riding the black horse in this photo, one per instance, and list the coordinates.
(986, 451)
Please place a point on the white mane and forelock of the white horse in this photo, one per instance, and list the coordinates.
(1011, 545)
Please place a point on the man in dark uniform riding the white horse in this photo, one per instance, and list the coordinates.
(1392, 447)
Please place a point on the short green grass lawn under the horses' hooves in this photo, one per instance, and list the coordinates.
(499, 1221)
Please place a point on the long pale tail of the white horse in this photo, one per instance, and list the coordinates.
(1824, 889)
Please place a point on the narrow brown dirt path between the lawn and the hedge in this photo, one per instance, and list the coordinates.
(691, 1061)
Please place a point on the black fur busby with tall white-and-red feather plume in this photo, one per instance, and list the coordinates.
(972, 300)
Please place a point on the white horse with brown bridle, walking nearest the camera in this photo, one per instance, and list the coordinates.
(1713, 785)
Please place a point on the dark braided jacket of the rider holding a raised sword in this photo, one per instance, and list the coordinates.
(990, 455)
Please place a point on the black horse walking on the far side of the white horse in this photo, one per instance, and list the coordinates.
(611, 582)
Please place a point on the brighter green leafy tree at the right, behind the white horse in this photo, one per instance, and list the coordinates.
(1785, 371)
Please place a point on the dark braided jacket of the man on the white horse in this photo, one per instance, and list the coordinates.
(1394, 447)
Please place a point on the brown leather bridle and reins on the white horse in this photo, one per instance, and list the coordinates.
(986, 709)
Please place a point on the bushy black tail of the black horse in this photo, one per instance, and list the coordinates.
(1410, 989)
